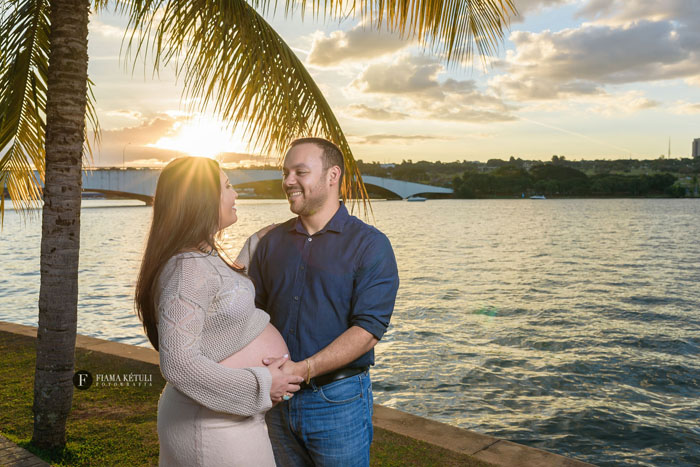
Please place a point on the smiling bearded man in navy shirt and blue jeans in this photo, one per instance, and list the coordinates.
(329, 282)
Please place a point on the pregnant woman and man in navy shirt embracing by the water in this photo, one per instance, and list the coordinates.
(266, 357)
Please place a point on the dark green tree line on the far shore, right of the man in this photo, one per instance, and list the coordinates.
(559, 177)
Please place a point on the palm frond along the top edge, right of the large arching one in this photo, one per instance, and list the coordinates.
(451, 28)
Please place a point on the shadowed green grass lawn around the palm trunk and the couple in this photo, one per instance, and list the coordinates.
(116, 425)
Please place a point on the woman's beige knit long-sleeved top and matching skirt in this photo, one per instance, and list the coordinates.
(208, 414)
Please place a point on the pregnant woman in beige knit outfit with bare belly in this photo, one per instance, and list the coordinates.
(198, 311)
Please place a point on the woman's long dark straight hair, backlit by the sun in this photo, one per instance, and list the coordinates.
(185, 214)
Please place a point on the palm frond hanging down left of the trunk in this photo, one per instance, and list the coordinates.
(24, 45)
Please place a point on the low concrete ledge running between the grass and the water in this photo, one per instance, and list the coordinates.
(483, 447)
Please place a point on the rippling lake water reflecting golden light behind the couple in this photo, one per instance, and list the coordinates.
(568, 325)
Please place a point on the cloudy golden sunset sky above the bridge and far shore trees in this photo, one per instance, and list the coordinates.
(584, 79)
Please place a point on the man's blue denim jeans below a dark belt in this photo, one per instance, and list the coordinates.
(324, 426)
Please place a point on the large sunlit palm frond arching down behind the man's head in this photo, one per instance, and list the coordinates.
(231, 59)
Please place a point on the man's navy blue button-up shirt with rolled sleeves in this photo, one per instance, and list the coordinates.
(315, 287)
